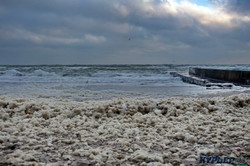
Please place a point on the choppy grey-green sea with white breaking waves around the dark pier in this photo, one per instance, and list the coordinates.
(103, 82)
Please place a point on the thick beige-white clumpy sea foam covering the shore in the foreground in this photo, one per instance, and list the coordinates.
(169, 131)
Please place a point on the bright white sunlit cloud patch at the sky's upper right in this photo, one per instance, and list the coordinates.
(185, 10)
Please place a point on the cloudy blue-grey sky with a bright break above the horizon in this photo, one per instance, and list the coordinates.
(124, 32)
